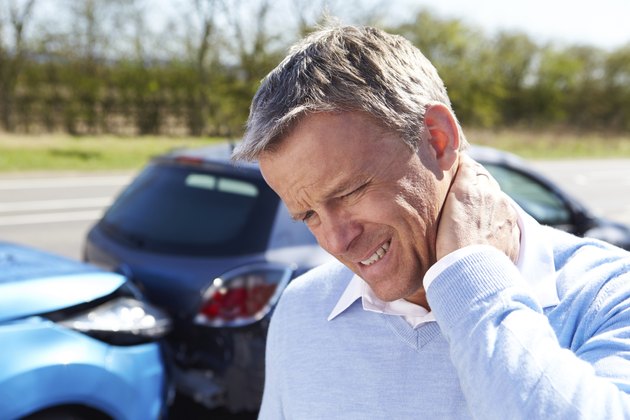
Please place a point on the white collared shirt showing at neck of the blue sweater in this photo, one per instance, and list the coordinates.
(535, 263)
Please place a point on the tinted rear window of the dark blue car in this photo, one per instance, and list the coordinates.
(191, 210)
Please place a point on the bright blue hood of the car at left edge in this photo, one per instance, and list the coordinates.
(34, 282)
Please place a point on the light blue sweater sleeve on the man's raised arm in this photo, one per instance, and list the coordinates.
(507, 355)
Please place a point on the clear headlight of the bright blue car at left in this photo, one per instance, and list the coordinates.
(121, 321)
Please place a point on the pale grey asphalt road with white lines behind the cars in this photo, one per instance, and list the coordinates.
(54, 211)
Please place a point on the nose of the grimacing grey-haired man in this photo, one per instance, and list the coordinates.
(337, 232)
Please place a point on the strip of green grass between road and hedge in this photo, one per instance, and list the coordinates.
(60, 152)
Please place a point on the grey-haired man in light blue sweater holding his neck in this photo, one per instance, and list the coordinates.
(448, 301)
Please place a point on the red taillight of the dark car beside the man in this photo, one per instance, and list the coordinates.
(244, 295)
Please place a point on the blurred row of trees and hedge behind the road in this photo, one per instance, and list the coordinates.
(127, 67)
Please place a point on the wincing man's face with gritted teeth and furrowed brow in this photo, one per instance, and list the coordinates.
(369, 199)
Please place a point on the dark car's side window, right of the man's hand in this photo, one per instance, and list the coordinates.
(535, 198)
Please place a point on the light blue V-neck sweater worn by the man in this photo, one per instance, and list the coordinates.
(492, 354)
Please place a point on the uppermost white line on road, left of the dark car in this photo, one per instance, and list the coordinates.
(45, 183)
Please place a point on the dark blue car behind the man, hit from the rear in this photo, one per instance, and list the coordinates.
(212, 244)
